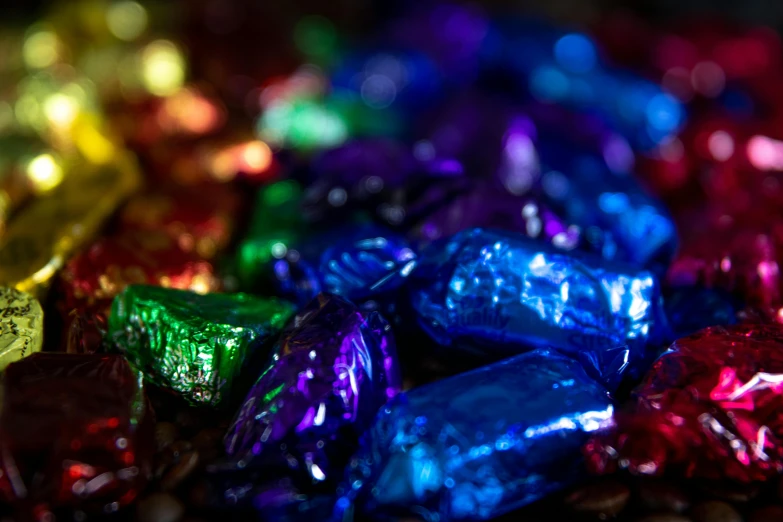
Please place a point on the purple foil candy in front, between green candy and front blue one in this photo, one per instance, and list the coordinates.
(330, 372)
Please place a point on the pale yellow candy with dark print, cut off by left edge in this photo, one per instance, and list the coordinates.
(21, 325)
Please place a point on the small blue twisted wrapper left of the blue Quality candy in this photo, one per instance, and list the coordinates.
(356, 262)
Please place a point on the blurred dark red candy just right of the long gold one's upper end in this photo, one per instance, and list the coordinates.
(200, 220)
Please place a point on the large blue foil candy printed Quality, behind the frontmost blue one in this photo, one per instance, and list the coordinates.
(495, 293)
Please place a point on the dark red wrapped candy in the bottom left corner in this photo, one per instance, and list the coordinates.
(75, 432)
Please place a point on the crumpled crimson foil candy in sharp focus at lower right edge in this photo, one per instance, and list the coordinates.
(711, 407)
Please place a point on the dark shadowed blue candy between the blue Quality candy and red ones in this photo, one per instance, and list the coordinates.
(690, 309)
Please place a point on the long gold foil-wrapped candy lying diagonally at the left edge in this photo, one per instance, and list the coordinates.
(43, 236)
